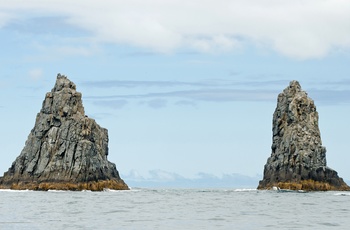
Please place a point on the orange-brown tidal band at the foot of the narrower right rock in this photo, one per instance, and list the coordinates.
(307, 185)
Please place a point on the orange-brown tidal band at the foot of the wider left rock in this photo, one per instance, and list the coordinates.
(45, 186)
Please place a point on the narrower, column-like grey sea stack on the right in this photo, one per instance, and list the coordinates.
(298, 159)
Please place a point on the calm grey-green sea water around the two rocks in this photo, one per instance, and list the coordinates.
(174, 209)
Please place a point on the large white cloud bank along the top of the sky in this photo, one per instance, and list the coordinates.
(297, 29)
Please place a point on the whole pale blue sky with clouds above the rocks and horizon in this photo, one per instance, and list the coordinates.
(186, 87)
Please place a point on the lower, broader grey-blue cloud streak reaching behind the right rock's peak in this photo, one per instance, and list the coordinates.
(193, 97)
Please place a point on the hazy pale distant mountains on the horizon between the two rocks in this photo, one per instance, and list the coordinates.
(161, 178)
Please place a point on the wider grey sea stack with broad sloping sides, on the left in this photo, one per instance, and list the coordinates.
(66, 150)
